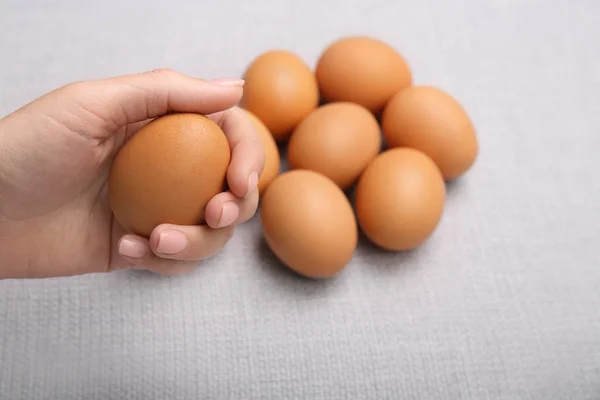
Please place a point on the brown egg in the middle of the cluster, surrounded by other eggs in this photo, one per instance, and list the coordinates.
(337, 140)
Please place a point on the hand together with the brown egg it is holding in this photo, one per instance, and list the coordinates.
(188, 155)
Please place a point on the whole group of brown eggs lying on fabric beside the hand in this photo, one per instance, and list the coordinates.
(331, 121)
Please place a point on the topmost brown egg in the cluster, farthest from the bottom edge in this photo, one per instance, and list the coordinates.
(362, 70)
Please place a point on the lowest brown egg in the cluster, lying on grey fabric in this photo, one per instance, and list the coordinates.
(309, 224)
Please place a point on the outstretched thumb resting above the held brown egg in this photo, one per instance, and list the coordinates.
(134, 98)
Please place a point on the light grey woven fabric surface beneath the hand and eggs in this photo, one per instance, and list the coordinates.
(502, 303)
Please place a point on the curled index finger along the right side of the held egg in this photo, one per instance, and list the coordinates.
(247, 151)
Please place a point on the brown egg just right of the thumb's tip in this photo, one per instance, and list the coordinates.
(280, 90)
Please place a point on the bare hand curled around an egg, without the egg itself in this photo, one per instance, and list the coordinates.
(55, 219)
